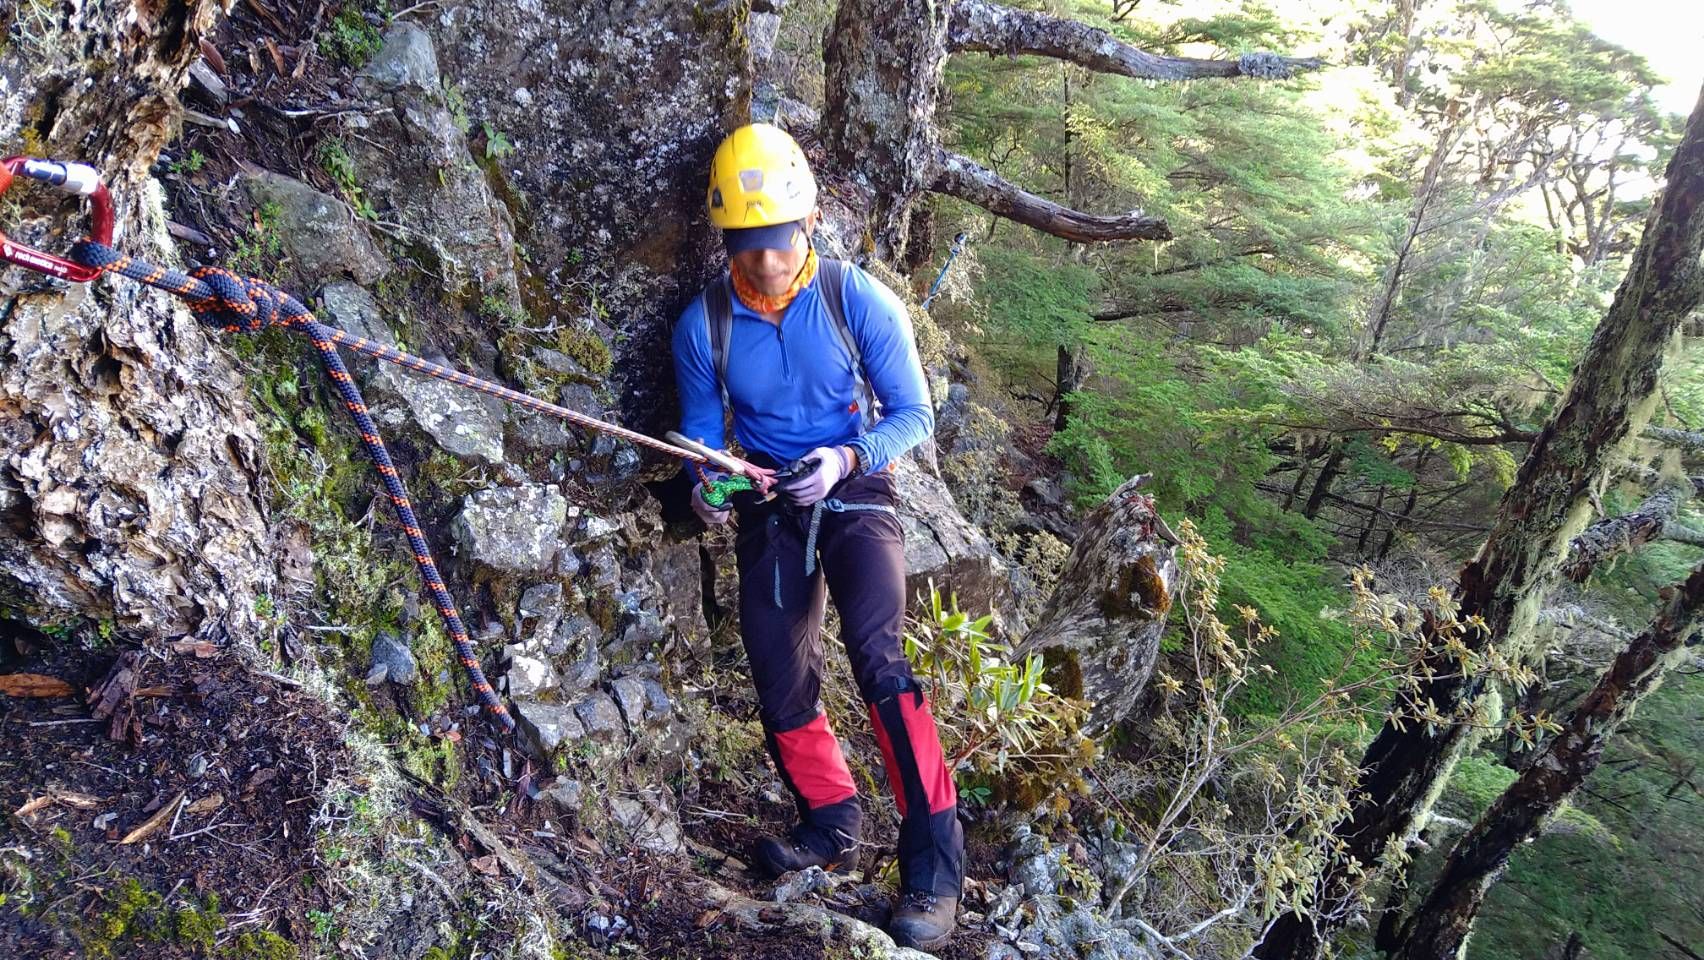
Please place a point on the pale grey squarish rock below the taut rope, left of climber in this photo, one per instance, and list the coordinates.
(514, 529)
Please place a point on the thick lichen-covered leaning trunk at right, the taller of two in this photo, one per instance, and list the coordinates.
(1609, 402)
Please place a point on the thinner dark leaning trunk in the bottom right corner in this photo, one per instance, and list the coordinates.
(1441, 927)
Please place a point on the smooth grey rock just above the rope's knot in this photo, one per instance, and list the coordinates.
(321, 234)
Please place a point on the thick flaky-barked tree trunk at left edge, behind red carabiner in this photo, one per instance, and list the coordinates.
(129, 456)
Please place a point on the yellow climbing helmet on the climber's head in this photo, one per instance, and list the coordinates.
(761, 178)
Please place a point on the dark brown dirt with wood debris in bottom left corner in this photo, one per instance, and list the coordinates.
(238, 761)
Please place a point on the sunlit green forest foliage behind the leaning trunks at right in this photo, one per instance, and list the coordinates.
(1381, 280)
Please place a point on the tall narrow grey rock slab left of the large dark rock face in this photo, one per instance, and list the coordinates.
(413, 158)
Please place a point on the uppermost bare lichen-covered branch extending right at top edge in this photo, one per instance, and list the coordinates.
(989, 28)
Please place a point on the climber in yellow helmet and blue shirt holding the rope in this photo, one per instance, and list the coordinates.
(802, 350)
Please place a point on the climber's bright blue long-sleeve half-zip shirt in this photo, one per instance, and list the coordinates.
(793, 386)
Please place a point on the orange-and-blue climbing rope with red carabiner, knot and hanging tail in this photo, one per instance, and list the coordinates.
(238, 304)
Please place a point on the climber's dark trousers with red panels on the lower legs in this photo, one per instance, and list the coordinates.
(792, 560)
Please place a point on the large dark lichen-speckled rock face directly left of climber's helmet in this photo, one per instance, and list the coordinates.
(613, 113)
